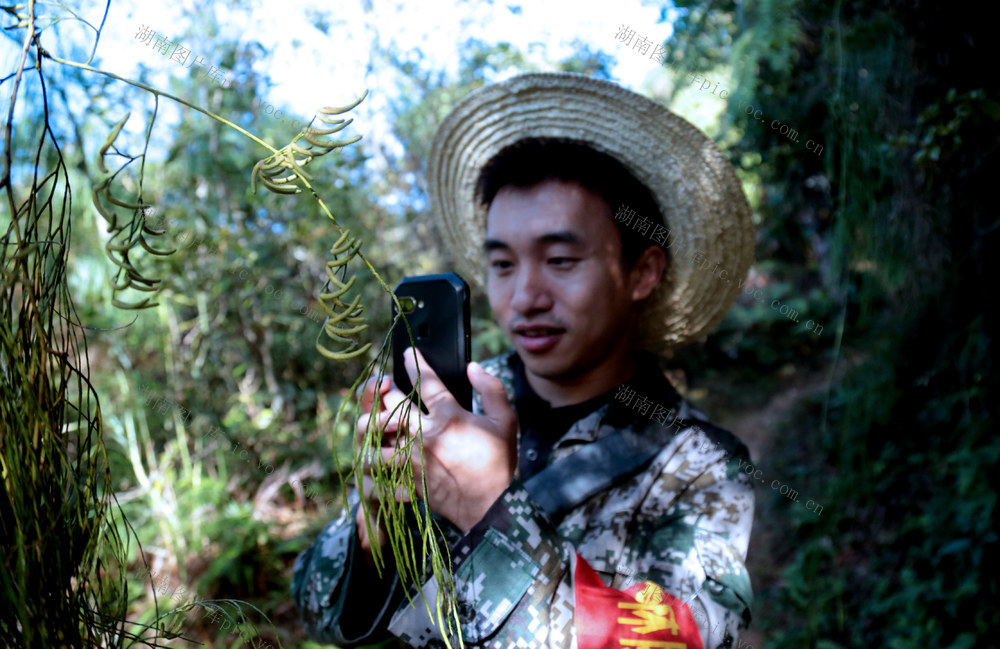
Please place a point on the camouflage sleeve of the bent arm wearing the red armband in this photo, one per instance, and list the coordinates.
(683, 524)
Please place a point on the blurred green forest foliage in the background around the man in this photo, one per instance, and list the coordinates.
(215, 430)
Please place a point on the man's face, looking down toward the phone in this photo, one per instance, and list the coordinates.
(556, 282)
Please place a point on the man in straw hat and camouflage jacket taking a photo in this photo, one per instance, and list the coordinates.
(579, 463)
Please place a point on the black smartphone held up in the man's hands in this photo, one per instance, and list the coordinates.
(437, 310)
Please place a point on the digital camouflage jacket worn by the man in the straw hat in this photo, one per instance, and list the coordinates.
(682, 522)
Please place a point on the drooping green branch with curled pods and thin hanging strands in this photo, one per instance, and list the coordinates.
(64, 559)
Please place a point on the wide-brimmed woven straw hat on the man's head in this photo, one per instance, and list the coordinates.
(694, 185)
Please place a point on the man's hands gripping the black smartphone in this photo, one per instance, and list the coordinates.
(468, 460)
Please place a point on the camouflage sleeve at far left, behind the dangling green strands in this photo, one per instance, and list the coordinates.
(340, 598)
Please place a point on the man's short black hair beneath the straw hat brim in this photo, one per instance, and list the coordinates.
(529, 162)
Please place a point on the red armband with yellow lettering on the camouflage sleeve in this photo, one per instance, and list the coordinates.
(643, 615)
